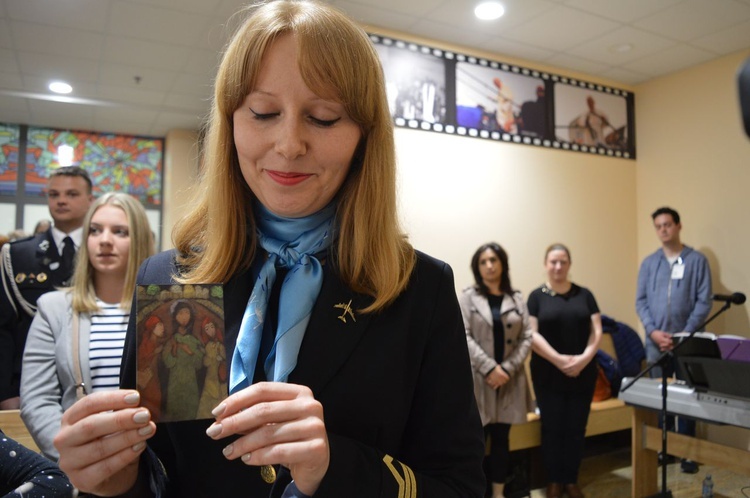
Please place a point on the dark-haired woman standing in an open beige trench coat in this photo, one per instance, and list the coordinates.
(499, 340)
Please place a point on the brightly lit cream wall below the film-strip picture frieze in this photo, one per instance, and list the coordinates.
(457, 193)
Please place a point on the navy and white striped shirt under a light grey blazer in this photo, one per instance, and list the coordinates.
(108, 327)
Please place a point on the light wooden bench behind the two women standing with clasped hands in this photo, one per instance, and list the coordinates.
(606, 416)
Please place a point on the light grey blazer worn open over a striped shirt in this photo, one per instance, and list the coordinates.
(48, 381)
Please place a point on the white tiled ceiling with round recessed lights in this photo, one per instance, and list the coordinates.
(145, 66)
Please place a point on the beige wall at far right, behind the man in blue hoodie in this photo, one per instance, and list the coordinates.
(694, 156)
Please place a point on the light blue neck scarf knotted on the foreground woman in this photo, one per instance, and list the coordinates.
(290, 243)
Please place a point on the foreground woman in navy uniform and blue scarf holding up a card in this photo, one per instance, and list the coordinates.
(328, 308)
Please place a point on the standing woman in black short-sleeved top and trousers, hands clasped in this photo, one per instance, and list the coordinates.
(567, 329)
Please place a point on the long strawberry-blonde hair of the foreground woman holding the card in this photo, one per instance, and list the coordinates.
(216, 238)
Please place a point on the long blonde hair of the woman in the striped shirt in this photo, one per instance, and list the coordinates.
(141, 247)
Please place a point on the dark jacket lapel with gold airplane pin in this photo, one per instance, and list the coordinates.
(335, 328)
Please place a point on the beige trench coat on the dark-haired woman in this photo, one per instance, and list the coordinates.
(510, 403)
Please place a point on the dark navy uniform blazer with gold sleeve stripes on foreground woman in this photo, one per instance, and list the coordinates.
(396, 390)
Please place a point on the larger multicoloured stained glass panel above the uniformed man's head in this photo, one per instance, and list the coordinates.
(116, 163)
